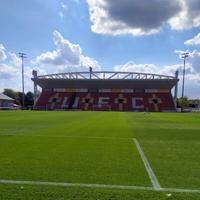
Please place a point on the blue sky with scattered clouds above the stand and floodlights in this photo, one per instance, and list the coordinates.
(60, 36)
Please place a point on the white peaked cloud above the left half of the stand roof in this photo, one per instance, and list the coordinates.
(66, 57)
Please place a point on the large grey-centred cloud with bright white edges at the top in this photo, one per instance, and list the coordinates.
(142, 17)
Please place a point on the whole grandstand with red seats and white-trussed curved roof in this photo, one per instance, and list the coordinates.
(106, 91)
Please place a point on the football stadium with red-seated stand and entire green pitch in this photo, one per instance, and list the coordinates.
(53, 153)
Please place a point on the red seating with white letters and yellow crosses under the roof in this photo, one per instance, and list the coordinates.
(115, 101)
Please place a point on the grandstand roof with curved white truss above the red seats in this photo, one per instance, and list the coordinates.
(104, 80)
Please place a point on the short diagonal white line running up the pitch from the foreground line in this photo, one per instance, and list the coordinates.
(152, 176)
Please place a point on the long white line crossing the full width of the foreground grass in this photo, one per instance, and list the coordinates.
(101, 186)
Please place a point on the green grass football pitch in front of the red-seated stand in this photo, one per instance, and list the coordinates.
(98, 148)
